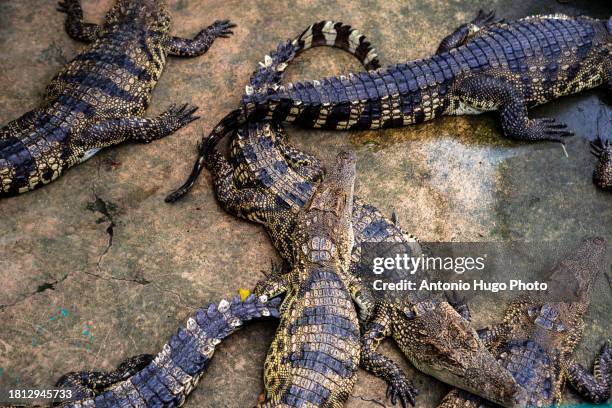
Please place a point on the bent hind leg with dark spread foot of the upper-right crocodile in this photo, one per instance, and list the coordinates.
(483, 92)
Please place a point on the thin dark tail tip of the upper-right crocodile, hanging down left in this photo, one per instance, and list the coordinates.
(207, 146)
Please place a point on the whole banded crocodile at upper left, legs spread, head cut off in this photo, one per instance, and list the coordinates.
(98, 99)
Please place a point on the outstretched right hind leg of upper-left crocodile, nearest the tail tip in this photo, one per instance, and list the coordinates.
(135, 128)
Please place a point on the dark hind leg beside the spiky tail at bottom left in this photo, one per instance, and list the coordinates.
(86, 384)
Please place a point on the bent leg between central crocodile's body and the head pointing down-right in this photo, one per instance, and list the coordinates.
(399, 386)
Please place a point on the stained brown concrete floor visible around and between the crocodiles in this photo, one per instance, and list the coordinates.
(96, 267)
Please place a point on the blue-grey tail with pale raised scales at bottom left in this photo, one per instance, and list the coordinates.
(170, 376)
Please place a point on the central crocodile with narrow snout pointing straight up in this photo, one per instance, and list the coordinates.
(315, 354)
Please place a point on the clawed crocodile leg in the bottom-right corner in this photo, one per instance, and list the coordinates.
(593, 387)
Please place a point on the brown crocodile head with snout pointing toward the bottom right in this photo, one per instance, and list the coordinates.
(439, 342)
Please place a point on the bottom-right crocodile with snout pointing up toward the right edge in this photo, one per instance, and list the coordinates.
(537, 338)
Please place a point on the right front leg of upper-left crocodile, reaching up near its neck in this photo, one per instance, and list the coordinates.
(186, 47)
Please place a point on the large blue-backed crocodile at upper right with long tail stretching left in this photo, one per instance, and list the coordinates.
(498, 66)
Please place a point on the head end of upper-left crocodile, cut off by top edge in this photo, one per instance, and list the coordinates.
(150, 14)
